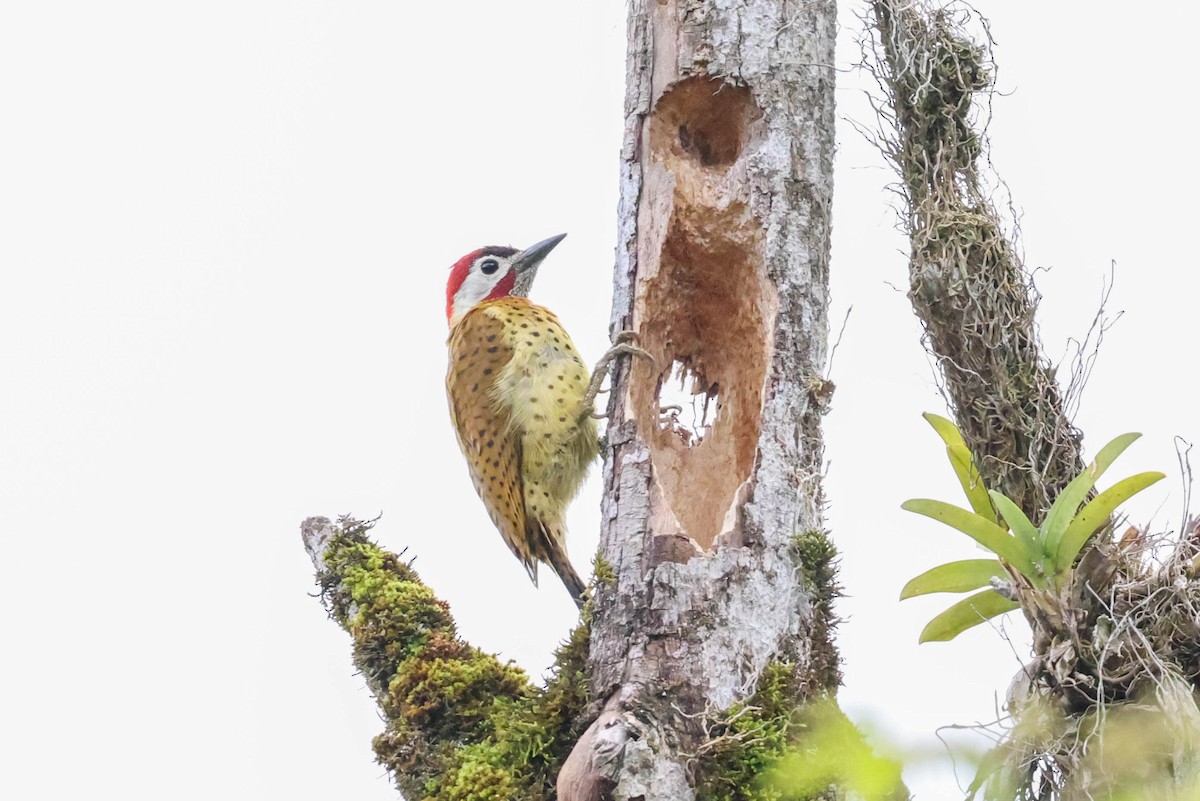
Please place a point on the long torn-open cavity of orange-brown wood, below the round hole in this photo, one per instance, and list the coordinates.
(705, 316)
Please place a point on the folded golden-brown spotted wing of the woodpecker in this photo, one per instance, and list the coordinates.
(489, 439)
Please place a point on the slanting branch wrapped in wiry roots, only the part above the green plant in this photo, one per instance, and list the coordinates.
(969, 287)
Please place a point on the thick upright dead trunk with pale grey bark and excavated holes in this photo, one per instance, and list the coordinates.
(723, 273)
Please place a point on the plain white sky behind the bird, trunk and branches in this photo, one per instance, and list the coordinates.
(225, 232)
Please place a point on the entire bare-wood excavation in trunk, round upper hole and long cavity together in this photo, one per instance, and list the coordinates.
(704, 311)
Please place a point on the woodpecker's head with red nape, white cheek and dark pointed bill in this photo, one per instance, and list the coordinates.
(493, 273)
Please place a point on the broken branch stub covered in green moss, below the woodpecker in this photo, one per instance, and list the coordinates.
(460, 724)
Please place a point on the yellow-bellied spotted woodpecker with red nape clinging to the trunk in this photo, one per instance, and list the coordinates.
(520, 402)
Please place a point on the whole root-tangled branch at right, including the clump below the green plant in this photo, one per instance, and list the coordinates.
(1115, 660)
